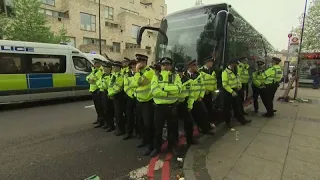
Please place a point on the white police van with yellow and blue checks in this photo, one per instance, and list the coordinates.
(38, 71)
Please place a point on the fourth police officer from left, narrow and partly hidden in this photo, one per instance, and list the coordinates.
(130, 99)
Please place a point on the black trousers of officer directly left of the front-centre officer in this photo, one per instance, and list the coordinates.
(147, 123)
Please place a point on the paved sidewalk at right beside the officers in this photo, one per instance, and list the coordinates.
(285, 147)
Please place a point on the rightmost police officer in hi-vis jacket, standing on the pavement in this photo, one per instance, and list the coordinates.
(272, 77)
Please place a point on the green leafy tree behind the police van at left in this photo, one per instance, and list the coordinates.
(29, 24)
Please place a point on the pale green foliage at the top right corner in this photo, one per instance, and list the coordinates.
(311, 29)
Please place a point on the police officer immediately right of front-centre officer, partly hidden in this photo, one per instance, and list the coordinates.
(186, 100)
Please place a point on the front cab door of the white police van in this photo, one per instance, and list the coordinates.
(82, 68)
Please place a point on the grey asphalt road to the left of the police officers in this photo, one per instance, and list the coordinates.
(58, 141)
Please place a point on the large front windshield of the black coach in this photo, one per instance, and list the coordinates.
(190, 34)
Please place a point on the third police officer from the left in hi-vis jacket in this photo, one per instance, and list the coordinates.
(115, 92)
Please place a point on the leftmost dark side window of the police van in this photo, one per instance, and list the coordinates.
(11, 64)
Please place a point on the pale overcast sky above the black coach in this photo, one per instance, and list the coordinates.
(272, 18)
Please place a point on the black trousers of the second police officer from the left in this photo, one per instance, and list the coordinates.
(108, 110)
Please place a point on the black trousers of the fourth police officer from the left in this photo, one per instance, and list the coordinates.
(130, 114)
